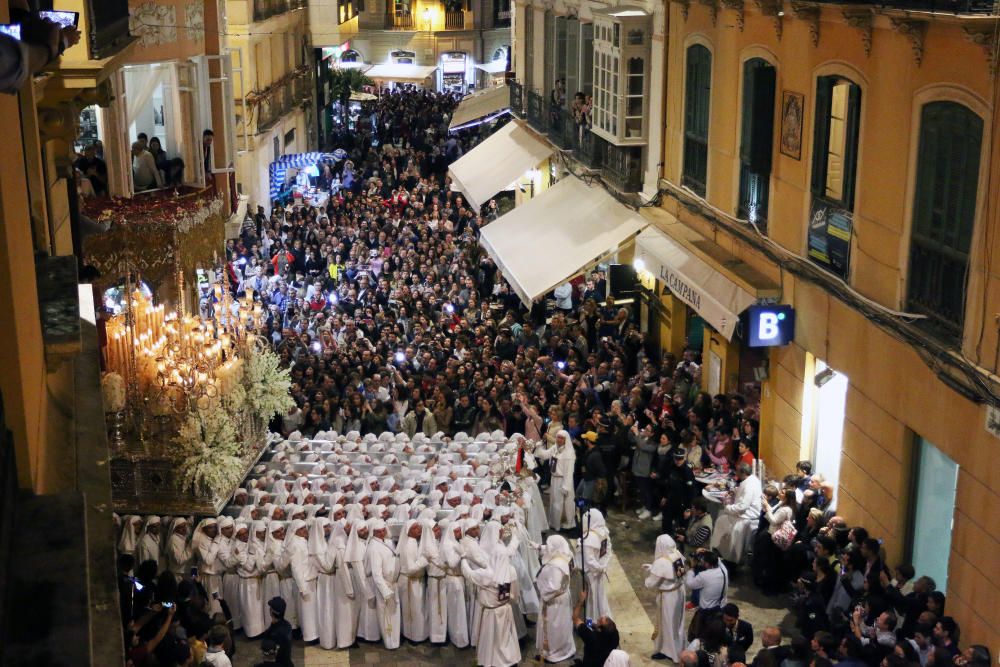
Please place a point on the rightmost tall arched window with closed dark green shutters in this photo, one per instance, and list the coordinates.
(944, 212)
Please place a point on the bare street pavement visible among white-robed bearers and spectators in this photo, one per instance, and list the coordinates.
(632, 604)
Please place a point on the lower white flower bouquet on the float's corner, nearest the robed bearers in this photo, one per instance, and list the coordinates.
(208, 453)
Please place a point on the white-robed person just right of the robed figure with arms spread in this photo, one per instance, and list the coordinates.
(554, 631)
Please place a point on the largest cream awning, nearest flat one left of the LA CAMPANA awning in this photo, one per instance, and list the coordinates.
(558, 234)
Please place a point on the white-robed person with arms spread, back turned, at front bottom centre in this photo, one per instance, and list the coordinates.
(496, 588)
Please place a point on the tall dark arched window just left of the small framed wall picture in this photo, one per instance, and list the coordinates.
(756, 139)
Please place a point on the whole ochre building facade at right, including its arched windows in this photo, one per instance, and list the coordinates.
(877, 222)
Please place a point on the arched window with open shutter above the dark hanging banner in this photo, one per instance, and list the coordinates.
(835, 140)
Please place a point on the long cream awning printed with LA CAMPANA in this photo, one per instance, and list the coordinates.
(716, 298)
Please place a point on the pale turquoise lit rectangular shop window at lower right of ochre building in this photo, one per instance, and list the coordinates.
(933, 511)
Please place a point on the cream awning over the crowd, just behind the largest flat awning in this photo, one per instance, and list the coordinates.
(497, 162)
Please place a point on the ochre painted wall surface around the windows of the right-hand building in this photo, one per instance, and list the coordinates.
(893, 395)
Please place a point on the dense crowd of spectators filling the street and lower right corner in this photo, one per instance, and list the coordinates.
(393, 318)
